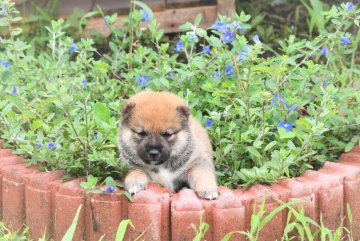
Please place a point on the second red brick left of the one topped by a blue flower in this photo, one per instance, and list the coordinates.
(39, 204)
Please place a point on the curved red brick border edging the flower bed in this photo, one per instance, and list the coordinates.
(47, 204)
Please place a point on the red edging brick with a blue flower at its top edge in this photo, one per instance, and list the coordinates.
(104, 215)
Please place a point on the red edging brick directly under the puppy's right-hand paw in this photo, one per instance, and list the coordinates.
(186, 210)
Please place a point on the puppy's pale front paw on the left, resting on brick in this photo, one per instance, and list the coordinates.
(135, 181)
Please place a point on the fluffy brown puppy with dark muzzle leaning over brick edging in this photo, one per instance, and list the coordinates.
(162, 142)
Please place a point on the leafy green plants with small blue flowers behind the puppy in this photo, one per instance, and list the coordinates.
(270, 113)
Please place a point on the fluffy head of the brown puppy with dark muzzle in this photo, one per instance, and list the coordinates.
(154, 126)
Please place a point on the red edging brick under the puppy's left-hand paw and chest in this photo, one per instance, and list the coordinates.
(150, 211)
